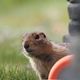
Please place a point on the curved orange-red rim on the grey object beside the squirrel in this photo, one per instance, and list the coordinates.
(58, 67)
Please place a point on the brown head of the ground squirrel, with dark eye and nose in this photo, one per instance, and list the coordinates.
(36, 43)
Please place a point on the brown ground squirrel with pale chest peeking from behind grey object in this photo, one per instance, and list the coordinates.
(42, 53)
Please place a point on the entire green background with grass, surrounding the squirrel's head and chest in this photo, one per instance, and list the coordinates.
(20, 16)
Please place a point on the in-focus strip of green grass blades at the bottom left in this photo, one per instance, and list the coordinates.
(16, 72)
